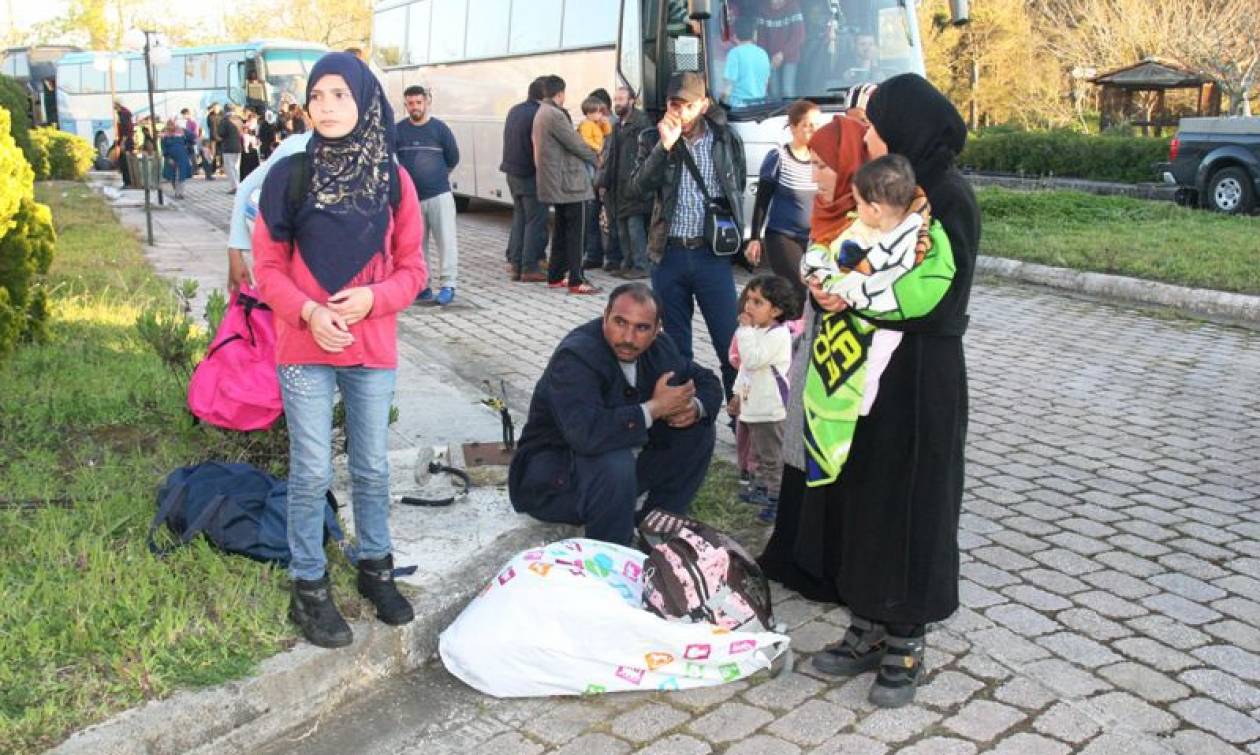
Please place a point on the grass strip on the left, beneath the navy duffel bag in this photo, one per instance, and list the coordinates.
(90, 424)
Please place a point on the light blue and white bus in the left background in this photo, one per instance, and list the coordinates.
(196, 78)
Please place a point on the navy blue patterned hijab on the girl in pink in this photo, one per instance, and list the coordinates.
(345, 214)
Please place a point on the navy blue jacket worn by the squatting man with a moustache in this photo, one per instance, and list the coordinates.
(584, 405)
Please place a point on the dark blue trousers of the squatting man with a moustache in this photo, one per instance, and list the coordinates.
(603, 490)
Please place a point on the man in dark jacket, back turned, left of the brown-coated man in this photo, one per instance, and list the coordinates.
(529, 241)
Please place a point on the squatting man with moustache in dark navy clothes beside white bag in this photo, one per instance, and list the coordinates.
(618, 413)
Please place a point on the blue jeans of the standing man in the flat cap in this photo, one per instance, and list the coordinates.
(686, 275)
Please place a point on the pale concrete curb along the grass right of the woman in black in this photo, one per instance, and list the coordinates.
(1233, 309)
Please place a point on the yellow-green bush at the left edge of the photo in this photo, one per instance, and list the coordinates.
(27, 244)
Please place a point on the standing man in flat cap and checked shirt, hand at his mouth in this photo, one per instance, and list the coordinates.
(686, 268)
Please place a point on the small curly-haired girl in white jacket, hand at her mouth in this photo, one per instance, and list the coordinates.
(762, 386)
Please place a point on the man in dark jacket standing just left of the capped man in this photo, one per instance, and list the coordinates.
(628, 210)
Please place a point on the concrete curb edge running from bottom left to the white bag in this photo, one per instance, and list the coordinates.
(299, 686)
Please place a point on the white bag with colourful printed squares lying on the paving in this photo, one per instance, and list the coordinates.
(568, 620)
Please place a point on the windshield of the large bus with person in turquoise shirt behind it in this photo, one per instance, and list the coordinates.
(817, 49)
